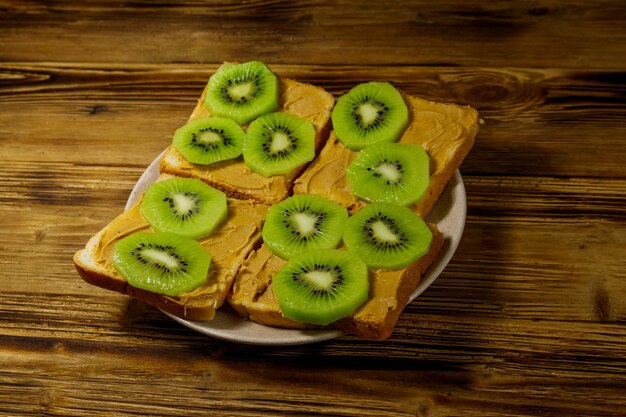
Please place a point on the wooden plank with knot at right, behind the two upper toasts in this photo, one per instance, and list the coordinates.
(537, 122)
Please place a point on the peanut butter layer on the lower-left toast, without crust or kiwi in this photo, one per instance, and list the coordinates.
(228, 245)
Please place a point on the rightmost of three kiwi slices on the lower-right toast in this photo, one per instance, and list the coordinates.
(387, 236)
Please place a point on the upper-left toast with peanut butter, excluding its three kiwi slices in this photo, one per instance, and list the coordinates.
(233, 176)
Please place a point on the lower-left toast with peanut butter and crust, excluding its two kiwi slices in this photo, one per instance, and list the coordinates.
(229, 245)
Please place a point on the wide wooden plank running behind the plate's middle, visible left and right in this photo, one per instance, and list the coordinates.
(514, 224)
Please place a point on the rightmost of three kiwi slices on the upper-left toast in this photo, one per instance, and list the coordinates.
(277, 143)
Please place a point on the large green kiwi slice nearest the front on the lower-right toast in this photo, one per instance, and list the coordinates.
(322, 286)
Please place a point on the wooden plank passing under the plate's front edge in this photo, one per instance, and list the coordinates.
(498, 341)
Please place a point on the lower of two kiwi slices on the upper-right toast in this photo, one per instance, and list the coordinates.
(389, 173)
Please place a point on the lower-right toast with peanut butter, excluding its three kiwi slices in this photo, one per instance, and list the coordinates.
(252, 295)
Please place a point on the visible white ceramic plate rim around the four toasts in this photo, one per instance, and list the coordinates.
(449, 215)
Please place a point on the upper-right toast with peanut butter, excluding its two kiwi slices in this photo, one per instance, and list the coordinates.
(442, 129)
